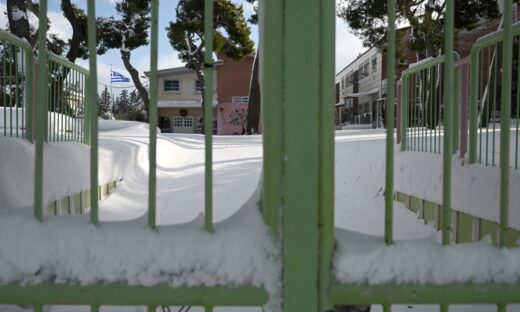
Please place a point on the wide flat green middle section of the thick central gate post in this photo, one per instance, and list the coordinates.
(301, 46)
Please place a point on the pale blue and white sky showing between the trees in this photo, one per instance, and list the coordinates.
(347, 45)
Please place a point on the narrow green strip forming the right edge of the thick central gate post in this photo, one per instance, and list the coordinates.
(326, 149)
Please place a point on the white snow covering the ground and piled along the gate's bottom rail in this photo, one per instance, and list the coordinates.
(240, 251)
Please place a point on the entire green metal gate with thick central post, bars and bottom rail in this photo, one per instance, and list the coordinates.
(298, 93)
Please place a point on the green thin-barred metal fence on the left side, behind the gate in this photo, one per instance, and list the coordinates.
(66, 82)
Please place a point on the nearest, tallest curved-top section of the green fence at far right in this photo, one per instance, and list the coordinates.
(487, 74)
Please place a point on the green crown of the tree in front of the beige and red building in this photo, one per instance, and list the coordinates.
(231, 32)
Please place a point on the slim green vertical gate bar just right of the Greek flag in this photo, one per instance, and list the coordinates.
(152, 174)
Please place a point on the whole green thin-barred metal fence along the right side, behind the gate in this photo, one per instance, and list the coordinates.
(422, 107)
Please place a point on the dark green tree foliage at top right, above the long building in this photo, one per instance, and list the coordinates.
(367, 19)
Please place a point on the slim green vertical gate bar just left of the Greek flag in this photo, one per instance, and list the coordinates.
(93, 111)
